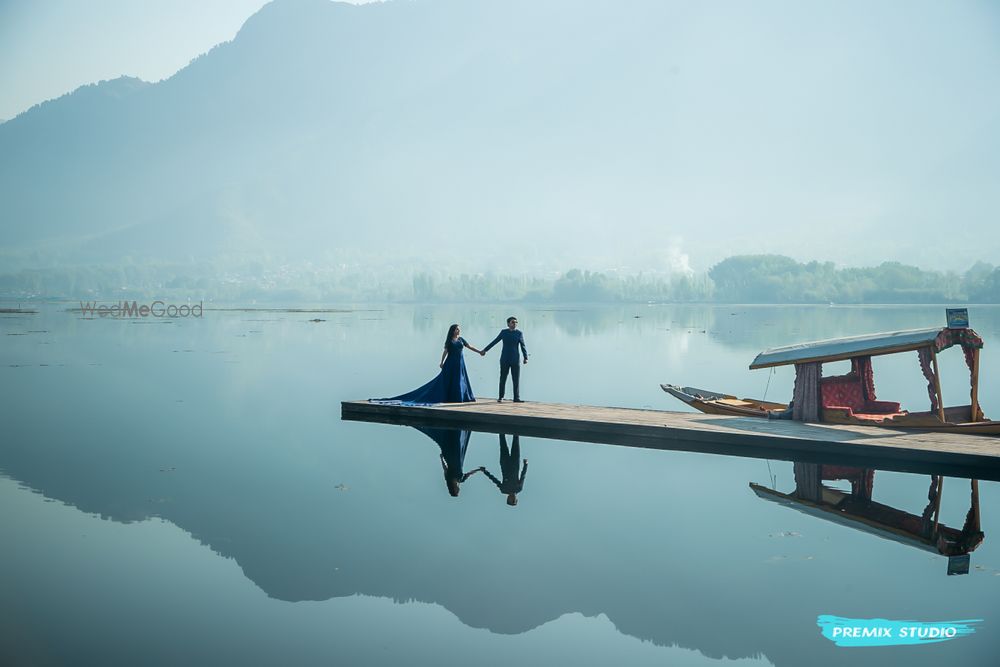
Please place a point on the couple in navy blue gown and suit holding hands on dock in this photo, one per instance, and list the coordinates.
(452, 385)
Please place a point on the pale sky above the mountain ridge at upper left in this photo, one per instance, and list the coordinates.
(51, 47)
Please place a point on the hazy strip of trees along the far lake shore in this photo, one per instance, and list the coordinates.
(739, 279)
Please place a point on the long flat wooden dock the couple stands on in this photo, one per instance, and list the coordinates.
(938, 453)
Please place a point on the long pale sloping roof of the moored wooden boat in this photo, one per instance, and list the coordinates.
(837, 349)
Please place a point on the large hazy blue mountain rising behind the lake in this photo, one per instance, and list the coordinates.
(527, 132)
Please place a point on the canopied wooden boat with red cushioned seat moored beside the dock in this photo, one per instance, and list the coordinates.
(850, 398)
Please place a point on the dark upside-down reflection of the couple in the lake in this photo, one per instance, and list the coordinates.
(454, 443)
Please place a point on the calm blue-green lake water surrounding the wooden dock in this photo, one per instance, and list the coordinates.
(184, 492)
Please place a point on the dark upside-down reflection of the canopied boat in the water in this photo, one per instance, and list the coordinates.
(856, 509)
